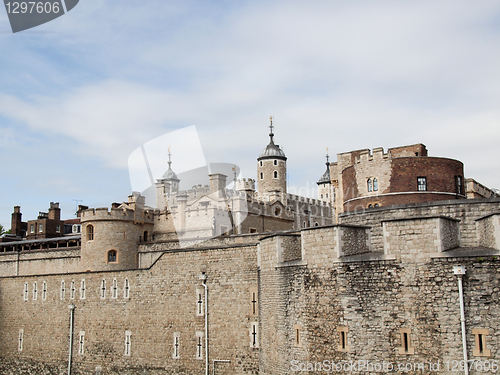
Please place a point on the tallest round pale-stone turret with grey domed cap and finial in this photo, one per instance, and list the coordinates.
(271, 171)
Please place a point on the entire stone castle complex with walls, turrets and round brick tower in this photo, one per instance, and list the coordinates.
(242, 277)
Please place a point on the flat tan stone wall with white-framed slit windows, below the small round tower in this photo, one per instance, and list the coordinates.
(162, 301)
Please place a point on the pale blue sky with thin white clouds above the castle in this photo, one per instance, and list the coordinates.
(80, 94)
